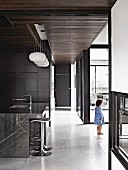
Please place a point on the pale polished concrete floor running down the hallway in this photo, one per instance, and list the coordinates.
(75, 147)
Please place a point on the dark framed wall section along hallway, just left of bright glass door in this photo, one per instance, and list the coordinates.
(83, 86)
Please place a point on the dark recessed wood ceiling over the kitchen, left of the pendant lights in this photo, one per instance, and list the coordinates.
(16, 38)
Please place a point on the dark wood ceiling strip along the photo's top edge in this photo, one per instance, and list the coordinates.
(54, 4)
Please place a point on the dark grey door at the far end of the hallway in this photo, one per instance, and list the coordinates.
(63, 85)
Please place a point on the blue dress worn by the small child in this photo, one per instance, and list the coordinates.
(99, 118)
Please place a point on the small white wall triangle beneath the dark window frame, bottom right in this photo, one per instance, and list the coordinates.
(116, 165)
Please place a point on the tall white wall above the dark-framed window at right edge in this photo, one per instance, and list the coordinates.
(120, 46)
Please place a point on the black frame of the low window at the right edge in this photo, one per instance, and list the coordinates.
(115, 110)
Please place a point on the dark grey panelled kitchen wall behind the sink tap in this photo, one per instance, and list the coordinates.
(19, 76)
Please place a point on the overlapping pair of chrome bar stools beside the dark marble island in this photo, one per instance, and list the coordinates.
(44, 150)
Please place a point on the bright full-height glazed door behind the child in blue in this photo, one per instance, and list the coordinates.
(99, 81)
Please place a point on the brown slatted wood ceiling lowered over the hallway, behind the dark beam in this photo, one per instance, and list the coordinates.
(68, 36)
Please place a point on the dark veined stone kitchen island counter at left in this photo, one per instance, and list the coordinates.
(15, 133)
